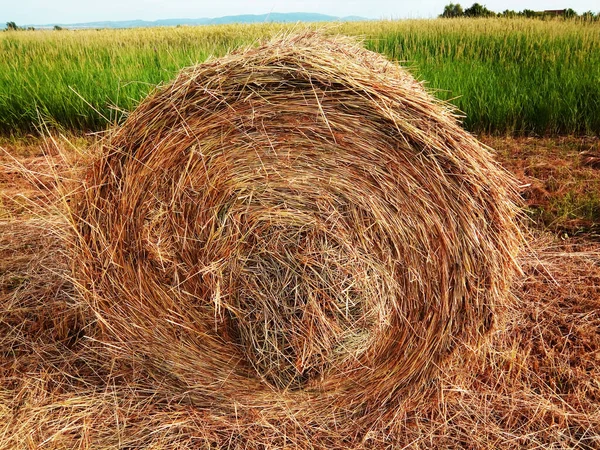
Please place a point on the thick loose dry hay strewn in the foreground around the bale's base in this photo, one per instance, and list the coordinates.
(536, 385)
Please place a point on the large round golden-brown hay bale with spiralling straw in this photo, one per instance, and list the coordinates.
(297, 229)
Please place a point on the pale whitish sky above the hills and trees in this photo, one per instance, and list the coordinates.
(70, 11)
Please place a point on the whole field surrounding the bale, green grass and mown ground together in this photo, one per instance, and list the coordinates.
(530, 90)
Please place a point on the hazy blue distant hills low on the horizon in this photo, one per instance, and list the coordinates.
(245, 18)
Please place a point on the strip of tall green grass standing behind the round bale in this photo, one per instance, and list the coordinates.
(508, 76)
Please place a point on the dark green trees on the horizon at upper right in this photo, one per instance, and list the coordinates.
(477, 10)
